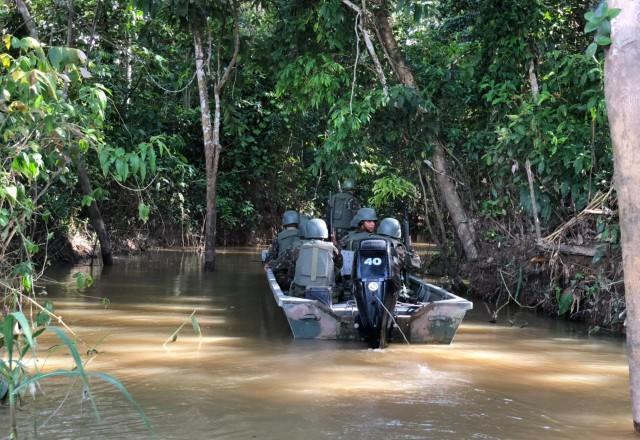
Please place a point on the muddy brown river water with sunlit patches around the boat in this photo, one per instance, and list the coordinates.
(245, 378)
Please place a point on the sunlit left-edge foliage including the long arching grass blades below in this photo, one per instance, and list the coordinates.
(48, 117)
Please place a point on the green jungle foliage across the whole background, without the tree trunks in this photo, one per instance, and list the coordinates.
(298, 115)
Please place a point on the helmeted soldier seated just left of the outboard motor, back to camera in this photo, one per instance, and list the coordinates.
(316, 260)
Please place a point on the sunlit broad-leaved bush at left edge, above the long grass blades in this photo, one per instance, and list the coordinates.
(46, 117)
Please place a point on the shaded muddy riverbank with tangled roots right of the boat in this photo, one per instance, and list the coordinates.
(562, 285)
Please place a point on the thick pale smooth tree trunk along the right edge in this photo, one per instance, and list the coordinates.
(622, 93)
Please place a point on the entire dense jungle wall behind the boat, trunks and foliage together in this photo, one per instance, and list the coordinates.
(198, 123)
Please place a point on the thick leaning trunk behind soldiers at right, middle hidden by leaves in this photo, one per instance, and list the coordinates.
(464, 229)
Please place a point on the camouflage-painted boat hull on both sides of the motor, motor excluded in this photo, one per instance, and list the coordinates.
(434, 320)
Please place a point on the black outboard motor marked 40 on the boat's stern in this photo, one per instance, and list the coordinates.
(375, 290)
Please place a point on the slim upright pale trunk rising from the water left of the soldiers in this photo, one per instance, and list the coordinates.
(210, 153)
